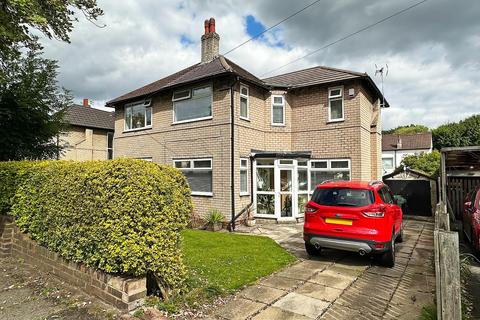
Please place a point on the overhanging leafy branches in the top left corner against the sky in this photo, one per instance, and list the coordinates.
(54, 18)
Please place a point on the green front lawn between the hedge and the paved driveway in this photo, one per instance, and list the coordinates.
(220, 263)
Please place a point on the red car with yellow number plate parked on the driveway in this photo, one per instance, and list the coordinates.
(354, 216)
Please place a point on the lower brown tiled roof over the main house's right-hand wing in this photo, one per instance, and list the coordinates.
(312, 76)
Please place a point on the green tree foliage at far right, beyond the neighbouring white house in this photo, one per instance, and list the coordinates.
(458, 134)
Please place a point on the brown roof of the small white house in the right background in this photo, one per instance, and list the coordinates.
(409, 141)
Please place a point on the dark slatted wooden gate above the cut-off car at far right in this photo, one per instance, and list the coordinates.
(457, 189)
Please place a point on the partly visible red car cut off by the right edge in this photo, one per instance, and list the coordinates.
(471, 217)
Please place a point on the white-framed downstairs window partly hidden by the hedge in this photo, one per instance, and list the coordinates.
(198, 173)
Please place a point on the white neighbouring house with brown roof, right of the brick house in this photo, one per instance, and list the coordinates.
(395, 147)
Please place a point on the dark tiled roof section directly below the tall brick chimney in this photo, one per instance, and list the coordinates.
(219, 65)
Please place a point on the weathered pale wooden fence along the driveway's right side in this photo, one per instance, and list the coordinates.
(447, 267)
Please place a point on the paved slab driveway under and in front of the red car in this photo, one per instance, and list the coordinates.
(340, 285)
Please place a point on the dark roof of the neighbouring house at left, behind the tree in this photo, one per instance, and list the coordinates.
(89, 117)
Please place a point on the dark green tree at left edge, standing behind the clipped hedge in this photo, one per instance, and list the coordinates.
(31, 105)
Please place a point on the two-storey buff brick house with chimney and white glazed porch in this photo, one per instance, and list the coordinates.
(243, 141)
